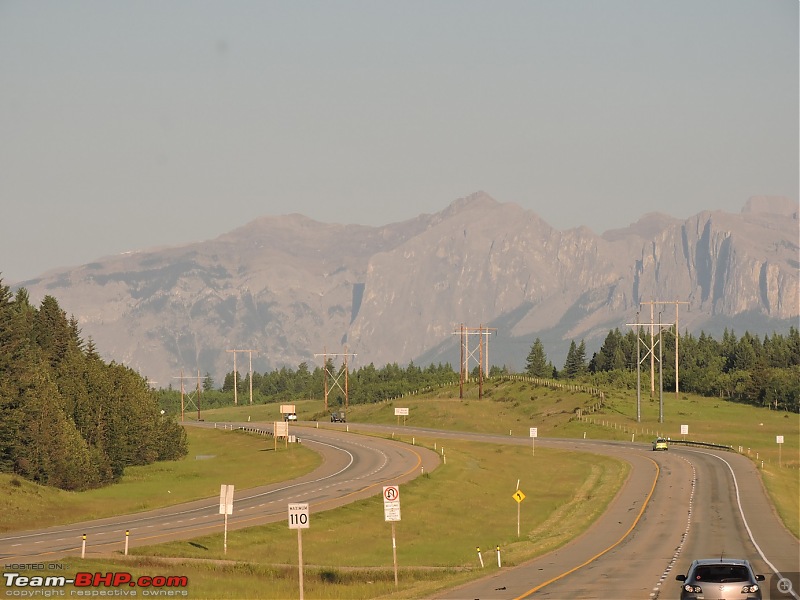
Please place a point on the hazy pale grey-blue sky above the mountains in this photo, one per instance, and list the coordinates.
(126, 125)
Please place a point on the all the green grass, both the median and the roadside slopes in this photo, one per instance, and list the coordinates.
(447, 513)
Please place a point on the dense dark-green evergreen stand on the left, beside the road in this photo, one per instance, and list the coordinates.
(67, 418)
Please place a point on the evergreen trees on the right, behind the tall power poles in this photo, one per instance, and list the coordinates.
(763, 372)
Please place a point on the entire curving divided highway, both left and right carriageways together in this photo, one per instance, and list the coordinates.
(675, 506)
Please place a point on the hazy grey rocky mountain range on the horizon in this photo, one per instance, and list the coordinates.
(291, 288)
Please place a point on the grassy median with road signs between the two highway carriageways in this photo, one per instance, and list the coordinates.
(446, 514)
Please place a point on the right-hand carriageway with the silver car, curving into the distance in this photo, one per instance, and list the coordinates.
(676, 506)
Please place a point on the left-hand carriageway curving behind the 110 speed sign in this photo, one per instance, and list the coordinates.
(354, 467)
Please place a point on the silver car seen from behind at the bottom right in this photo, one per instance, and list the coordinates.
(720, 579)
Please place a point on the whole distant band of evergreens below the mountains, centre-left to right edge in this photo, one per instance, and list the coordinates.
(763, 372)
